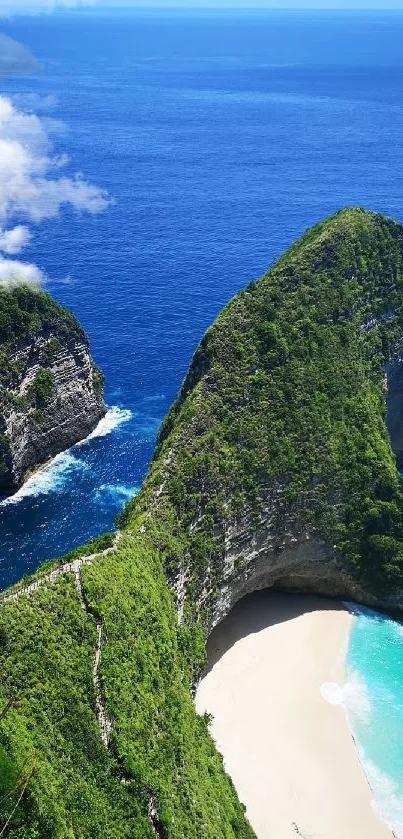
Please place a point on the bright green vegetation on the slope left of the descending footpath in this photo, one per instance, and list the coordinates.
(76, 790)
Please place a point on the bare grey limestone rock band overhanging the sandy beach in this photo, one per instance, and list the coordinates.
(281, 553)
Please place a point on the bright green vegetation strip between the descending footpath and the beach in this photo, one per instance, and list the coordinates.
(162, 745)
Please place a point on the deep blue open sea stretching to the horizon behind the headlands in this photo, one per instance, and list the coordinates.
(220, 137)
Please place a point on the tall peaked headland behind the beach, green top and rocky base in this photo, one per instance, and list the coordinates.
(277, 464)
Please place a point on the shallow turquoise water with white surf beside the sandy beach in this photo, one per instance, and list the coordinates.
(373, 697)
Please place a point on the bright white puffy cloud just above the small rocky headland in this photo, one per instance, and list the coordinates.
(32, 186)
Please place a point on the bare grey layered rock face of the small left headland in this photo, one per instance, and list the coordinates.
(52, 400)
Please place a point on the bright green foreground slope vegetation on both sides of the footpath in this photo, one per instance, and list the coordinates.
(159, 750)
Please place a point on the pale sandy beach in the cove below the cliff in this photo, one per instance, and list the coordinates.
(289, 752)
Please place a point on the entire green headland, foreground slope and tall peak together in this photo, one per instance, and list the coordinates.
(273, 468)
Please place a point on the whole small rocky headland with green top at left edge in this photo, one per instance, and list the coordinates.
(51, 392)
